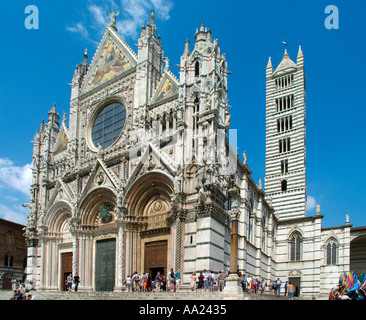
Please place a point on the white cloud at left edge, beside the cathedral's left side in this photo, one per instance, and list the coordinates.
(15, 177)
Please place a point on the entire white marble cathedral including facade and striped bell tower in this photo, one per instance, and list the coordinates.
(143, 178)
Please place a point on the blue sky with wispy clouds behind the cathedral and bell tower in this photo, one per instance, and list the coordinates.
(37, 67)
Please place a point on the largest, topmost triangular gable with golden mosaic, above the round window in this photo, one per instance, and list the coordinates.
(113, 57)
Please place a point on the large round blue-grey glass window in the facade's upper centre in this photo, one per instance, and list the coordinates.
(108, 125)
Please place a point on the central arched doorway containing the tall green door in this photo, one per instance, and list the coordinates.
(97, 236)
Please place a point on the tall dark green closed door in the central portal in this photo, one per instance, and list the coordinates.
(105, 265)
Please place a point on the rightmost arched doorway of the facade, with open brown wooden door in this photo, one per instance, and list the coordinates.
(149, 237)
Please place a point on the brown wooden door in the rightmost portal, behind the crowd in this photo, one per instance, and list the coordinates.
(156, 256)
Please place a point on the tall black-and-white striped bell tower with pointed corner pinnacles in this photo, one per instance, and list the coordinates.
(285, 181)
